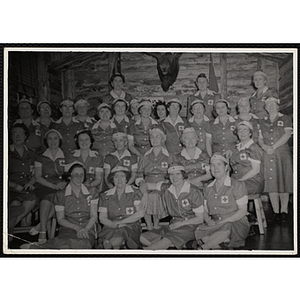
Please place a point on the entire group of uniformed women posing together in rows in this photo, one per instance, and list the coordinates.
(145, 160)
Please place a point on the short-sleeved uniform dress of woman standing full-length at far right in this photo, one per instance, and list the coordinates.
(278, 168)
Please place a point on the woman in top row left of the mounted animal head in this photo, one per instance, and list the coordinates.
(116, 82)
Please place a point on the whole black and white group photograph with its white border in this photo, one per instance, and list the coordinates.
(150, 150)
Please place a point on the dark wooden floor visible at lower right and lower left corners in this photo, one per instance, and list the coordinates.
(277, 236)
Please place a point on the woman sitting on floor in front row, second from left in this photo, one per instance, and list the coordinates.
(120, 211)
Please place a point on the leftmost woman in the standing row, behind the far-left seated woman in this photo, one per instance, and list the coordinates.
(36, 130)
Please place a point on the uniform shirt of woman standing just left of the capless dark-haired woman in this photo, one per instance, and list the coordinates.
(140, 135)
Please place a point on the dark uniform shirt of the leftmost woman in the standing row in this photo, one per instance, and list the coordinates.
(37, 131)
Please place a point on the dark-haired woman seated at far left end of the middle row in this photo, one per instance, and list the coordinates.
(21, 197)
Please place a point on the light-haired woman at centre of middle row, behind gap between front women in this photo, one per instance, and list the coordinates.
(153, 168)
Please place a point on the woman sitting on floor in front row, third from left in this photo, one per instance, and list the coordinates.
(184, 203)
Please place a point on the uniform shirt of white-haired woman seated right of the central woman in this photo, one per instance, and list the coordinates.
(201, 158)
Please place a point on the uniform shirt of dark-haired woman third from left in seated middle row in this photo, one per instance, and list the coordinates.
(92, 164)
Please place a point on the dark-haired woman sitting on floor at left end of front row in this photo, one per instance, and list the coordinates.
(76, 213)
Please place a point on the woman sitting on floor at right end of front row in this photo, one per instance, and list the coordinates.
(226, 208)
